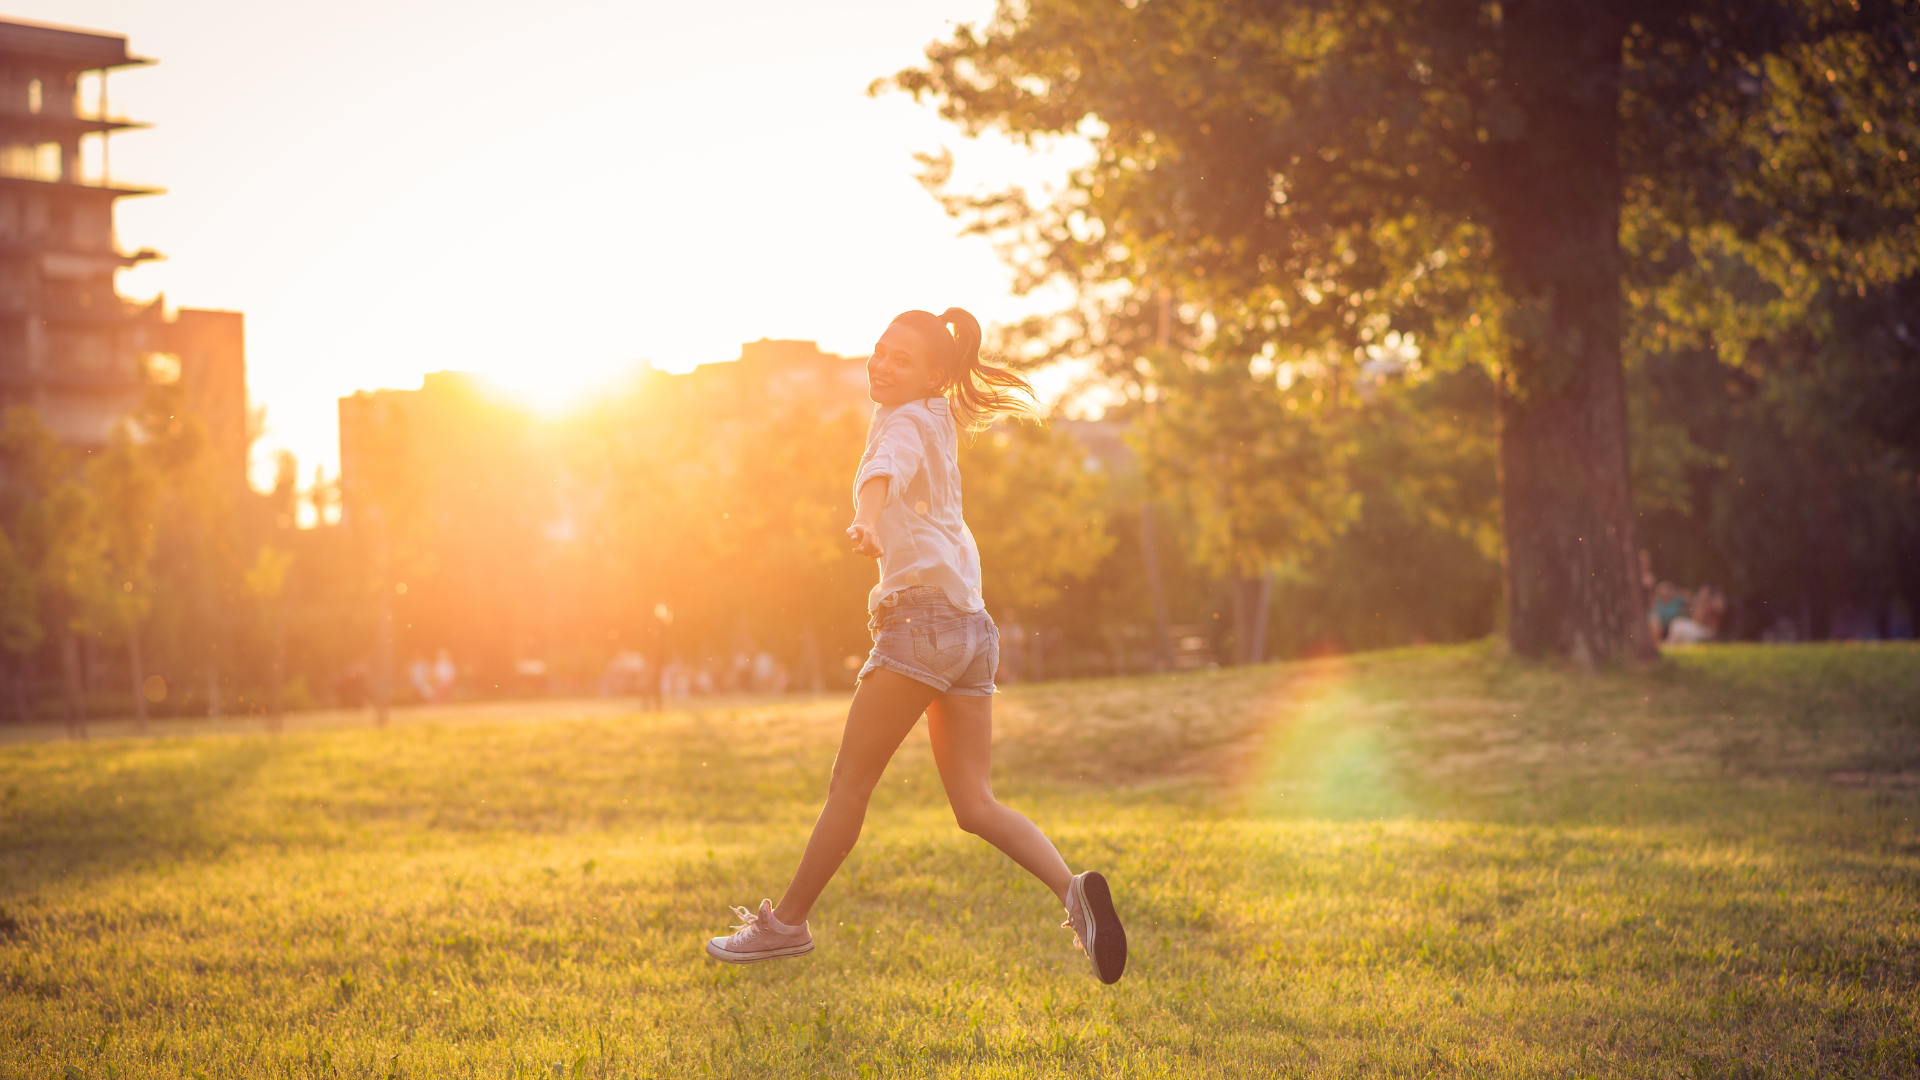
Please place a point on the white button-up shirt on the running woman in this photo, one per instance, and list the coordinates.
(923, 535)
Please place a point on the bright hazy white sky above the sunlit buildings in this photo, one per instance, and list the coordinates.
(550, 195)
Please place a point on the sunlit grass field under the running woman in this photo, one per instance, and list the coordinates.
(1416, 864)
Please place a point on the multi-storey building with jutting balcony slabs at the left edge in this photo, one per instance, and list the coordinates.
(70, 345)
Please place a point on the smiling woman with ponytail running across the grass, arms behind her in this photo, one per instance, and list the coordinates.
(934, 645)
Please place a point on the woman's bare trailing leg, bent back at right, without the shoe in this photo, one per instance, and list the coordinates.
(961, 729)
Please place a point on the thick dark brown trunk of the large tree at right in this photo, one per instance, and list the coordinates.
(1554, 185)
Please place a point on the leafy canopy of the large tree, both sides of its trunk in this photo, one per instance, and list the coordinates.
(1322, 166)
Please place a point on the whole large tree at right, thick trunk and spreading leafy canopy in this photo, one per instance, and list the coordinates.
(1485, 176)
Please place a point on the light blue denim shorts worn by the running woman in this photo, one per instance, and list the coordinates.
(921, 635)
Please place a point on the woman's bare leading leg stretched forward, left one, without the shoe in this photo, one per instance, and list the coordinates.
(884, 710)
